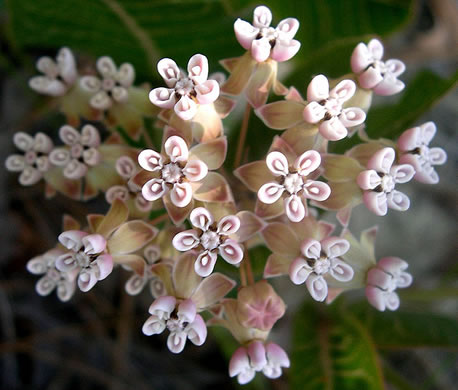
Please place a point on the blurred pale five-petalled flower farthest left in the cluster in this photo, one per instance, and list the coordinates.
(35, 160)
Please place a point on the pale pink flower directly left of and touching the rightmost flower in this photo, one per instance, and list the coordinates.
(379, 181)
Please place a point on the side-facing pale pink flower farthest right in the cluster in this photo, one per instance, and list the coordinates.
(413, 144)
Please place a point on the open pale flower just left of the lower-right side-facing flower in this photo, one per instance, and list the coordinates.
(321, 258)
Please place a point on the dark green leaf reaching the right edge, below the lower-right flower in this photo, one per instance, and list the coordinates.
(404, 330)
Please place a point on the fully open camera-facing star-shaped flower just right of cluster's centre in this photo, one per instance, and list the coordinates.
(293, 183)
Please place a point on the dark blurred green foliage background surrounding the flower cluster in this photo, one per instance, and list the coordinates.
(95, 342)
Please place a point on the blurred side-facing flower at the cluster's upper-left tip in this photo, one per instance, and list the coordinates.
(58, 75)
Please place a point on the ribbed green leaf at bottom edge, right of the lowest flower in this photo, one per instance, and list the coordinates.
(332, 351)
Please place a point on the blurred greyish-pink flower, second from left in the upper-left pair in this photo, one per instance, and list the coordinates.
(112, 87)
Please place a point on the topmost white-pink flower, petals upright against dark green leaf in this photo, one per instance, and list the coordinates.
(264, 41)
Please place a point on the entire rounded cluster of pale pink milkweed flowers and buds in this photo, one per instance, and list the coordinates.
(177, 205)
